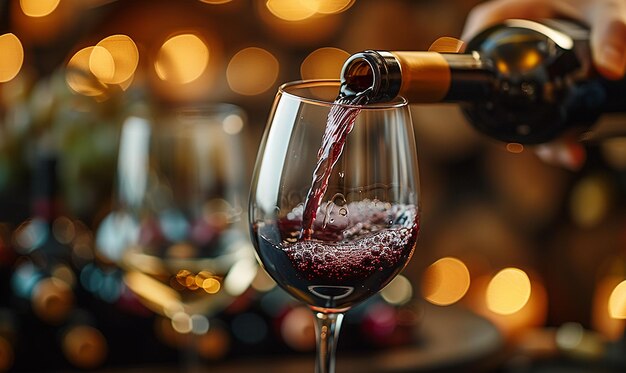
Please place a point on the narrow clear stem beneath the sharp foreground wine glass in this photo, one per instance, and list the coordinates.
(327, 327)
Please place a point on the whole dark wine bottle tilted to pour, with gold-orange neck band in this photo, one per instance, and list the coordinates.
(518, 81)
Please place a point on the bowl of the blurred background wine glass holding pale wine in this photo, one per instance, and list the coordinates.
(179, 220)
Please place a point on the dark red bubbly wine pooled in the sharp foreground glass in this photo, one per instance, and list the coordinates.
(338, 268)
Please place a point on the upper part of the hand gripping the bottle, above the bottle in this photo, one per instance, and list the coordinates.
(605, 18)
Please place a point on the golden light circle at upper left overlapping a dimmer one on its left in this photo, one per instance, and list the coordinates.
(114, 59)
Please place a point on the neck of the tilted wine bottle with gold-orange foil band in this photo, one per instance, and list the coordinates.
(420, 77)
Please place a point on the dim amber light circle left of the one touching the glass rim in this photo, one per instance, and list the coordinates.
(252, 71)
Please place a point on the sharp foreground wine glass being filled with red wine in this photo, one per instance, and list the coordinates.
(334, 204)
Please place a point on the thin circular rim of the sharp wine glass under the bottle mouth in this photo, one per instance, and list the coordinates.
(283, 89)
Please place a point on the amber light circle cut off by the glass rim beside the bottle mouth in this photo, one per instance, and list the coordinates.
(323, 63)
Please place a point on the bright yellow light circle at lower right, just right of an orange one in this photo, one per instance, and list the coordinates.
(508, 291)
